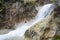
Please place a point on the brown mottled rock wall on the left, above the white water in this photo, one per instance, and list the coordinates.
(15, 12)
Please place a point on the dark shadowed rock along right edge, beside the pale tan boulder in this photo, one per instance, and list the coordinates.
(57, 16)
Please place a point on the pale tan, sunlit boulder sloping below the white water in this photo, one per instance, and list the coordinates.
(45, 30)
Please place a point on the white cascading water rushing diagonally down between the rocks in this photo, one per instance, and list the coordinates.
(42, 13)
